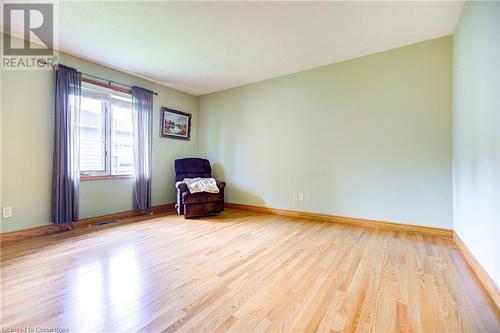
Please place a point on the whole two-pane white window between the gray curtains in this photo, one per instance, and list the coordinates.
(106, 138)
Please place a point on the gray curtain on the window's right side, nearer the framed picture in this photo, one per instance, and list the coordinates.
(142, 117)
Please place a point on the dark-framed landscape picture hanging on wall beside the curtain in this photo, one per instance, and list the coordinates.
(175, 124)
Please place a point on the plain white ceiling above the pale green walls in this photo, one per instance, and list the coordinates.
(202, 47)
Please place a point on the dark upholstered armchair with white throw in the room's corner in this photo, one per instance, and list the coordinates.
(196, 204)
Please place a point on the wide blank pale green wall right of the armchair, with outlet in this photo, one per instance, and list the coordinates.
(367, 138)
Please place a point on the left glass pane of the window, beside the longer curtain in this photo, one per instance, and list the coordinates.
(92, 136)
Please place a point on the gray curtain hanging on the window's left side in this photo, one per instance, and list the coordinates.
(66, 164)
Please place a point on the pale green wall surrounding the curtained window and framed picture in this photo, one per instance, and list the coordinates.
(26, 133)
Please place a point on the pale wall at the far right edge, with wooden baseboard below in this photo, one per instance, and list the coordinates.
(476, 132)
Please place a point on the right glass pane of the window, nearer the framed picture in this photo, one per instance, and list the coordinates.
(122, 151)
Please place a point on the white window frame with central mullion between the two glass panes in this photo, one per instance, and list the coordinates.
(107, 129)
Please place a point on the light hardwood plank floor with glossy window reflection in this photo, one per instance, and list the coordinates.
(241, 272)
